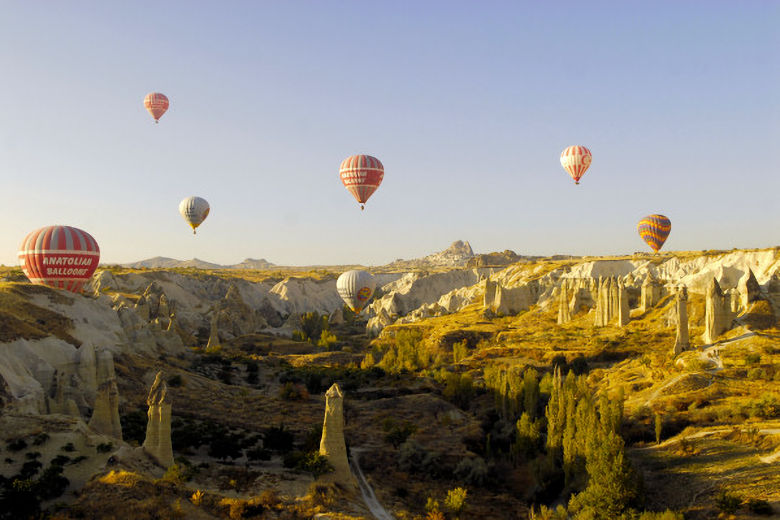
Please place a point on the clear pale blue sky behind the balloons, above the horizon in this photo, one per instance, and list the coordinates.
(467, 104)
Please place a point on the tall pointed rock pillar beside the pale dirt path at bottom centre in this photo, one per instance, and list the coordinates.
(332, 444)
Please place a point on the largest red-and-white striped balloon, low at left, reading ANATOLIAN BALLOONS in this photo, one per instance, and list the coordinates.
(63, 257)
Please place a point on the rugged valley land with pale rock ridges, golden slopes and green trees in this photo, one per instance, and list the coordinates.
(453, 377)
